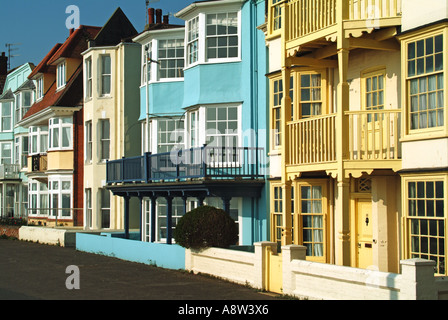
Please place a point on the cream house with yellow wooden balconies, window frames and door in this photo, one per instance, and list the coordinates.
(359, 136)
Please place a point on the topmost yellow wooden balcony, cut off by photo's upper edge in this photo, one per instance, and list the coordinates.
(316, 23)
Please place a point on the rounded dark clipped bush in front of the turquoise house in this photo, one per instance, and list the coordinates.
(205, 227)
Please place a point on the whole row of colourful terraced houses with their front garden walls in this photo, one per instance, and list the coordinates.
(318, 125)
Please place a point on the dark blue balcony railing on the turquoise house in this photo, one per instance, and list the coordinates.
(182, 165)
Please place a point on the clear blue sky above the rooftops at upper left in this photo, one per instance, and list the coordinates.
(39, 24)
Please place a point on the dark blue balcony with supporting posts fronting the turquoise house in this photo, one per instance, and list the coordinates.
(223, 172)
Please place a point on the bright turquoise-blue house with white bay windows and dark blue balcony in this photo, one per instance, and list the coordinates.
(203, 120)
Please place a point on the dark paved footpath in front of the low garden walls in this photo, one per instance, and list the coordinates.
(31, 271)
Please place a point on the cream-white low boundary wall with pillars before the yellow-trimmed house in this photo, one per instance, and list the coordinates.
(314, 280)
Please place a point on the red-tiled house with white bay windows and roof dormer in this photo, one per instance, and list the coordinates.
(55, 133)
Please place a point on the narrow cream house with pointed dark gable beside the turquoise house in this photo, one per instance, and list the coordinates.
(111, 109)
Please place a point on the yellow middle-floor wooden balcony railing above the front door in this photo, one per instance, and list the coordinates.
(373, 141)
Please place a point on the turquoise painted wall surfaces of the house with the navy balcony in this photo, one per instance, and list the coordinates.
(233, 82)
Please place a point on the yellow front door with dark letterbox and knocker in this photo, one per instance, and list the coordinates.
(364, 234)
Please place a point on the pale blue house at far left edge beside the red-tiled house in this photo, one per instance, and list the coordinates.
(15, 100)
